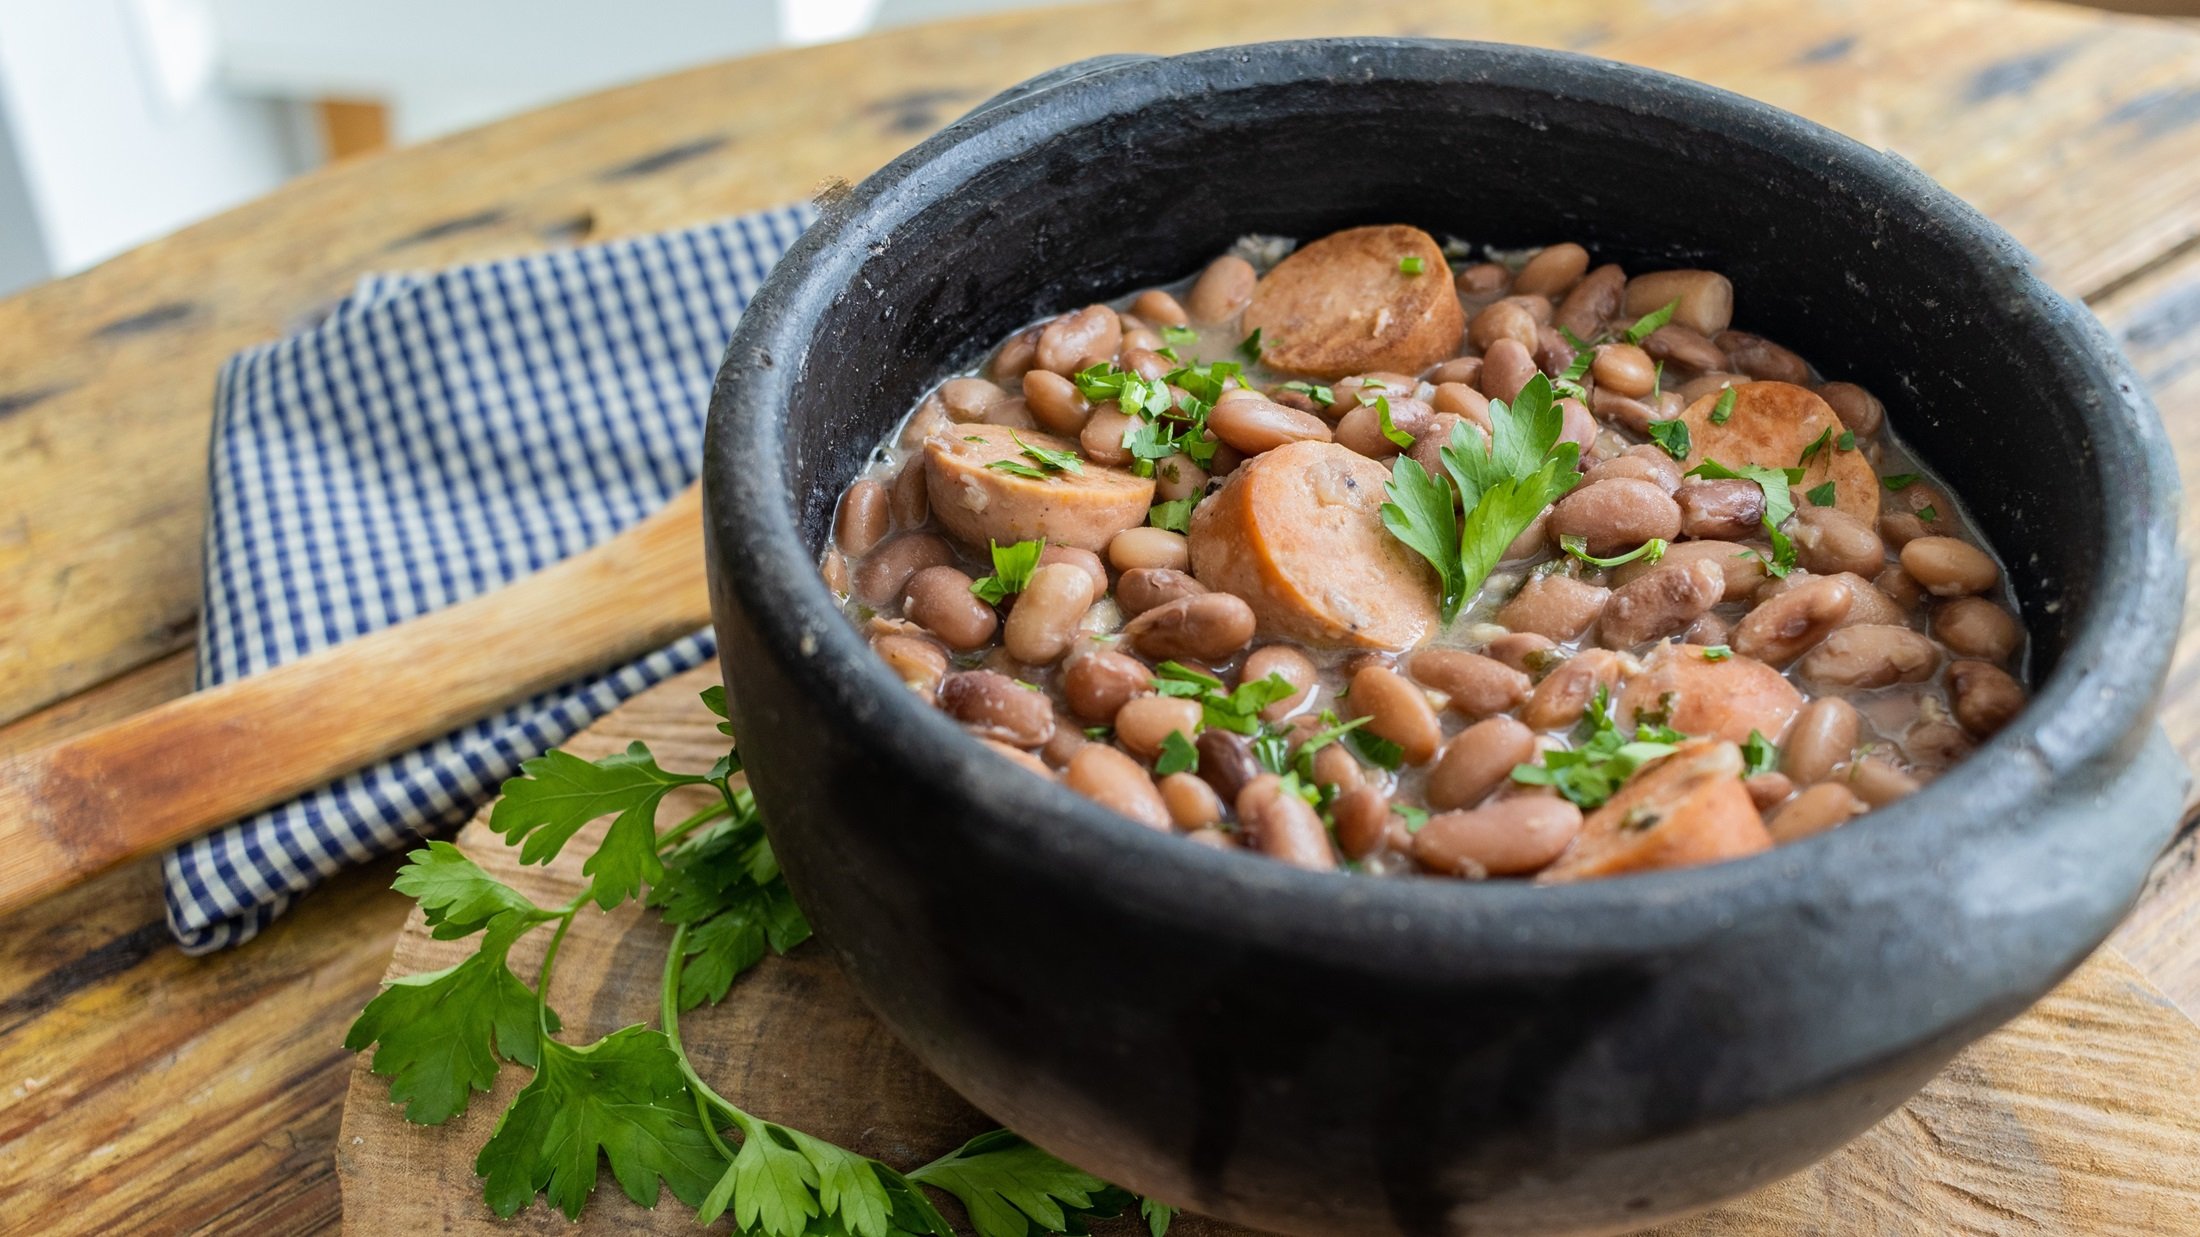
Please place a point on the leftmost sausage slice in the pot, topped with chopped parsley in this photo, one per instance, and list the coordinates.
(1068, 510)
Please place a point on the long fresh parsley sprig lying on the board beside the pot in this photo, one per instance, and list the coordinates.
(635, 1099)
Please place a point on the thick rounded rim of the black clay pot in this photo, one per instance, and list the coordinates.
(2089, 714)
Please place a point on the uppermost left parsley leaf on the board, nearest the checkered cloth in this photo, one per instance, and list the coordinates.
(558, 793)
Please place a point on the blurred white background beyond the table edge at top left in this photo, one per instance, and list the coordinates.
(126, 120)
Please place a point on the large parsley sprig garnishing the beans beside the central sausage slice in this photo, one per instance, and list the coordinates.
(1501, 481)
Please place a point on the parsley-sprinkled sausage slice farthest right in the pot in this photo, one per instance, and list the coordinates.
(1772, 426)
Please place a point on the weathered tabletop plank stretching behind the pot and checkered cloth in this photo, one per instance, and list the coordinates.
(2073, 129)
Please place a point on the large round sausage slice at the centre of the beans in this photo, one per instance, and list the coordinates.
(1297, 534)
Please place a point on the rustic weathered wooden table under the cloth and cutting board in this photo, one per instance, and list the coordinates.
(164, 1093)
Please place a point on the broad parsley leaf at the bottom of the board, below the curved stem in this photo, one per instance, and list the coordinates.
(621, 1097)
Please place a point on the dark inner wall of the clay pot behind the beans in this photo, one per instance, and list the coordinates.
(1820, 261)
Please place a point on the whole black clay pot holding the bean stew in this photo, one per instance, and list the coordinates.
(1352, 1055)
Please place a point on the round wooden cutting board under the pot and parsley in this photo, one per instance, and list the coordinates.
(2080, 1117)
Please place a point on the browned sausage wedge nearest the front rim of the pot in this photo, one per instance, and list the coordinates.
(1682, 811)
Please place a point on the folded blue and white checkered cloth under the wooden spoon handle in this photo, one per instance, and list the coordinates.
(432, 439)
